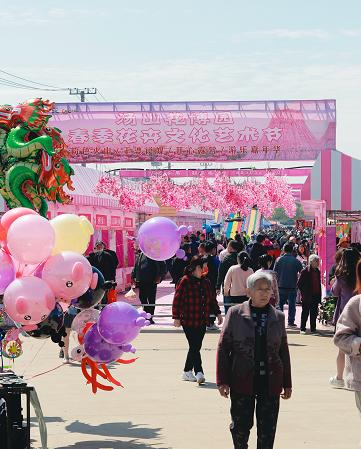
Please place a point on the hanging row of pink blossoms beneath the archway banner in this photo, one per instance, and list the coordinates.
(223, 194)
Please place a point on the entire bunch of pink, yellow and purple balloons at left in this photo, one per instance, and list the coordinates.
(43, 273)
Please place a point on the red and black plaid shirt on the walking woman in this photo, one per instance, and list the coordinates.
(194, 300)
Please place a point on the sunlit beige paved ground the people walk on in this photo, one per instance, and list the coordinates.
(157, 410)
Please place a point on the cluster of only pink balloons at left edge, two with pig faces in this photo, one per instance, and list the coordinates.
(31, 279)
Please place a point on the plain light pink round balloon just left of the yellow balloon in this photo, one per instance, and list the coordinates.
(31, 239)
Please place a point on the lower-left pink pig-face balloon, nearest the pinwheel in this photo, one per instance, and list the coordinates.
(28, 300)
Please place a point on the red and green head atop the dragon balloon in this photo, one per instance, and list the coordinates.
(32, 114)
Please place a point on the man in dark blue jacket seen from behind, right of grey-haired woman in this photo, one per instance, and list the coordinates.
(287, 268)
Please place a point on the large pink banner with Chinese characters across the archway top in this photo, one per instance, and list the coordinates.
(197, 131)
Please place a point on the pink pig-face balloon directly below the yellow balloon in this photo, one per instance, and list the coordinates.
(69, 275)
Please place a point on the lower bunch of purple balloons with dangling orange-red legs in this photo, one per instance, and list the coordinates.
(103, 338)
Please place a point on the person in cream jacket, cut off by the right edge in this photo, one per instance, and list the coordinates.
(348, 339)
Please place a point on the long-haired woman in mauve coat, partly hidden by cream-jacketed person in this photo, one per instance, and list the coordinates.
(343, 289)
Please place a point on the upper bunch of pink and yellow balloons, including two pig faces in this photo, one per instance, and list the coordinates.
(42, 269)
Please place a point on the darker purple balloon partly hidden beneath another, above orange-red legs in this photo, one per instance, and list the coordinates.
(98, 349)
